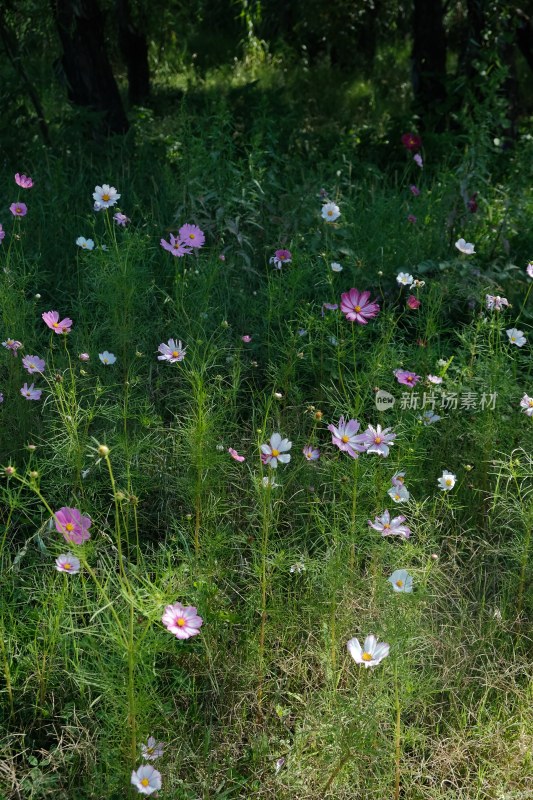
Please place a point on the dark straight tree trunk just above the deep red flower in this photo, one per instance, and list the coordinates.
(429, 55)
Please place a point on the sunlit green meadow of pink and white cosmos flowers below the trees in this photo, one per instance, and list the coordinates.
(266, 490)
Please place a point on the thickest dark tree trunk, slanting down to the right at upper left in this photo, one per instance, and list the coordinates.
(86, 66)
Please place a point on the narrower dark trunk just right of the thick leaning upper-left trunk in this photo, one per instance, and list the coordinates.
(134, 49)
